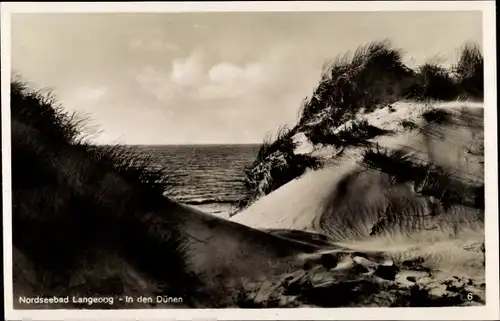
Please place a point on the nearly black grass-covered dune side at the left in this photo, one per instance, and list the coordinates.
(75, 204)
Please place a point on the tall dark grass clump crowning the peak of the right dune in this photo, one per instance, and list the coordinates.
(374, 74)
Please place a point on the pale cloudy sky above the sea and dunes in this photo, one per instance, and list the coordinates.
(208, 78)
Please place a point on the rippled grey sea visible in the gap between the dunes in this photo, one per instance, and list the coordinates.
(207, 177)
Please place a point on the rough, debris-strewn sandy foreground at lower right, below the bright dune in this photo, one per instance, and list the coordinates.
(246, 267)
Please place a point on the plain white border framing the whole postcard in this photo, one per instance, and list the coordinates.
(488, 312)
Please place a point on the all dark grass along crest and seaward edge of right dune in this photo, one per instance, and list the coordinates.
(372, 77)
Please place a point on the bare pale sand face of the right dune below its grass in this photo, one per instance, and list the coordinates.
(359, 210)
